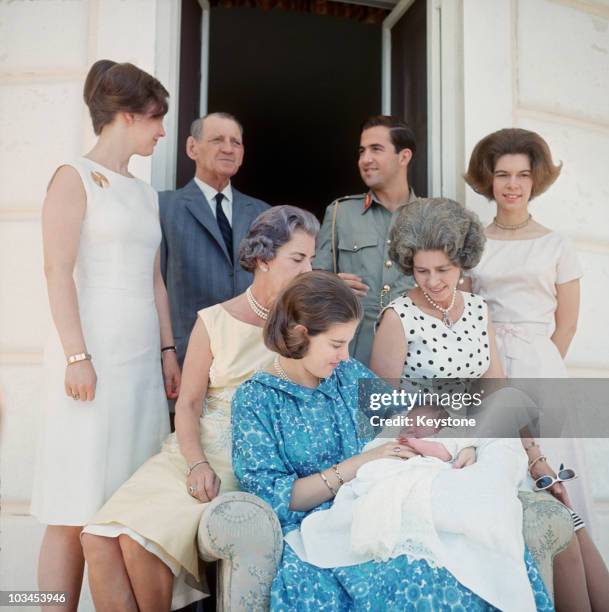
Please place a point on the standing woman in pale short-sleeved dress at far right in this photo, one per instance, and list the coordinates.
(529, 276)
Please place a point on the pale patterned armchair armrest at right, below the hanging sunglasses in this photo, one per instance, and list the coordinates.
(548, 528)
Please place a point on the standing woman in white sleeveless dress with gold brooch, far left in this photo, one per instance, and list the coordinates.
(104, 408)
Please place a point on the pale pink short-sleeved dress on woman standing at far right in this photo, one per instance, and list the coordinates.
(518, 279)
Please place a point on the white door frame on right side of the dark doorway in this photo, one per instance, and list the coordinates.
(444, 91)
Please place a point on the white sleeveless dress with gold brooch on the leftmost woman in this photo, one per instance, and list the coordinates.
(86, 450)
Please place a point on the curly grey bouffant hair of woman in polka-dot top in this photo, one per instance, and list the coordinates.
(436, 224)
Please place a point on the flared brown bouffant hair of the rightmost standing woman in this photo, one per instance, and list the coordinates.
(511, 141)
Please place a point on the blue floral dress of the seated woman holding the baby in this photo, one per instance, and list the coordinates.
(282, 432)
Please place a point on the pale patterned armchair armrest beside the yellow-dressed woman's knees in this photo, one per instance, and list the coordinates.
(243, 533)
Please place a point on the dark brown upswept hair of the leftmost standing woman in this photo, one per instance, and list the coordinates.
(111, 88)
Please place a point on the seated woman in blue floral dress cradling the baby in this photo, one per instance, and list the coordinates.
(297, 439)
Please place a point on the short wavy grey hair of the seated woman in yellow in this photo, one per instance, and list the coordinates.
(272, 229)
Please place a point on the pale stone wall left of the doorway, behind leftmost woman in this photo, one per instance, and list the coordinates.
(46, 48)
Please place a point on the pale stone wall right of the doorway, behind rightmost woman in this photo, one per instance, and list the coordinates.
(543, 65)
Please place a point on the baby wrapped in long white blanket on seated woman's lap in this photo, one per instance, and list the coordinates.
(467, 520)
